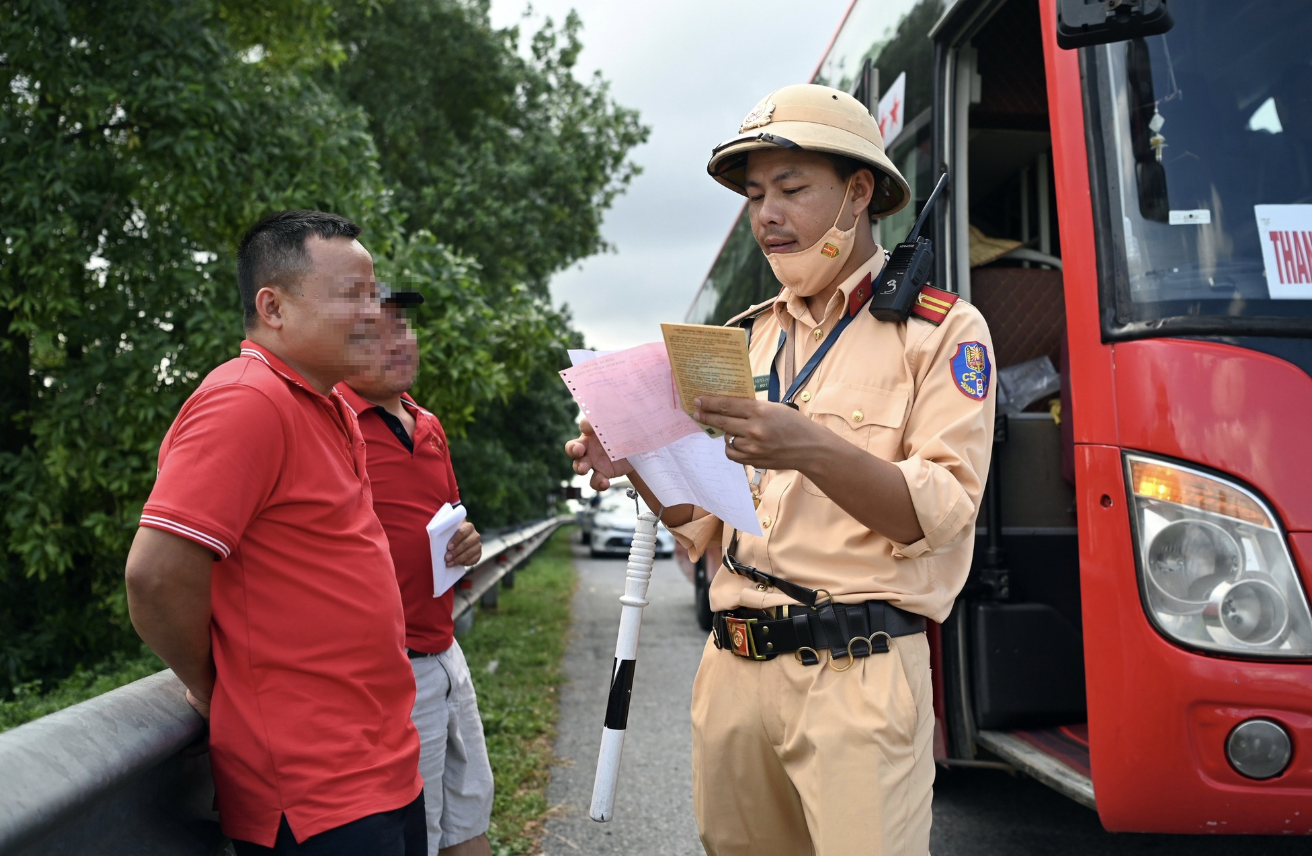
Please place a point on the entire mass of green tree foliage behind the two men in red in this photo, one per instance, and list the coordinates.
(140, 139)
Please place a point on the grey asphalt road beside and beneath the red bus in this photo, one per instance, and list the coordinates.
(977, 812)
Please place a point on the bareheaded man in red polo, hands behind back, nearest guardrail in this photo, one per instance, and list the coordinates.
(262, 576)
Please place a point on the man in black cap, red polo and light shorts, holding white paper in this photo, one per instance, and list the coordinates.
(411, 475)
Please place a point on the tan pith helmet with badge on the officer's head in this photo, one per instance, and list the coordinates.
(813, 119)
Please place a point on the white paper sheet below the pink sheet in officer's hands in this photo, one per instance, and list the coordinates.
(695, 469)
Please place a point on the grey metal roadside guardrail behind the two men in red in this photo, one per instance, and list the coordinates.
(123, 774)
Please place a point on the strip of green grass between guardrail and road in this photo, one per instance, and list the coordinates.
(527, 636)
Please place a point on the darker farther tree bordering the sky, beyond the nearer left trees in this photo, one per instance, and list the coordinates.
(508, 157)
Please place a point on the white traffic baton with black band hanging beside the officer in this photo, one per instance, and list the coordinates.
(637, 577)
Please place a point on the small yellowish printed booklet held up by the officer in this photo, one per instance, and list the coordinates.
(708, 360)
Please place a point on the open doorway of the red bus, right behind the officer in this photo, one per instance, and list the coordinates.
(1014, 647)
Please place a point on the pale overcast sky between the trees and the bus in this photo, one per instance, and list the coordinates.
(693, 69)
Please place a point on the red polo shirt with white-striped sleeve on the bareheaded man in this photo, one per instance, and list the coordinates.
(312, 712)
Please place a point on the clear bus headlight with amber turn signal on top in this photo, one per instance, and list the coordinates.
(1214, 568)
